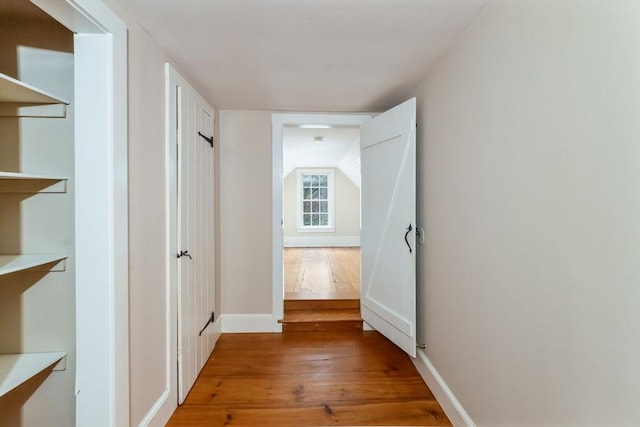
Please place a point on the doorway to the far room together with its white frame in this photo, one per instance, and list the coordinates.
(316, 209)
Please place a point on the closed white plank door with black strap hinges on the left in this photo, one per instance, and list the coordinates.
(195, 235)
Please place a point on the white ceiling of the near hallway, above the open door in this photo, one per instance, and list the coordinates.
(304, 55)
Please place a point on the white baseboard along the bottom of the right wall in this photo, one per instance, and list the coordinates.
(445, 397)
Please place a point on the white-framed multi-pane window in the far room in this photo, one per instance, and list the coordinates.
(315, 200)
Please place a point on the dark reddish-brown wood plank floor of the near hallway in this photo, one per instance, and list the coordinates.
(309, 379)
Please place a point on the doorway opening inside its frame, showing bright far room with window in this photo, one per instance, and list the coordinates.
(321, 212)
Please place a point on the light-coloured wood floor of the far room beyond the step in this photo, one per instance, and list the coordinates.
(322, 273)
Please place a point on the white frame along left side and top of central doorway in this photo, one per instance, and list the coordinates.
(278, 122)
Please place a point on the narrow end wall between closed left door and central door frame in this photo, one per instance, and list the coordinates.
(245, 212)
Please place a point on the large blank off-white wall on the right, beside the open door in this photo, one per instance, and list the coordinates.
(529, 160)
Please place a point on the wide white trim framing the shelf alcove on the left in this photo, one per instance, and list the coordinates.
(102, 286)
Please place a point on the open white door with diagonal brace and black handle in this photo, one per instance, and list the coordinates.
(388, 290)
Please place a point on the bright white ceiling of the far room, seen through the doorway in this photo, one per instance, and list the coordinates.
(340, 149)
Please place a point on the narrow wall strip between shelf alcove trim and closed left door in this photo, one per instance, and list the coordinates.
(147, 220)
